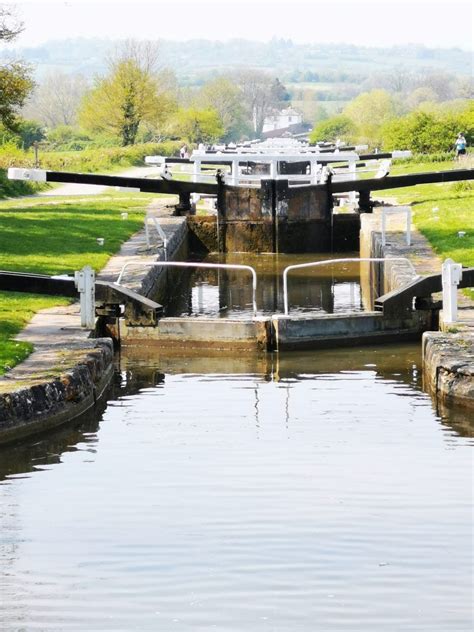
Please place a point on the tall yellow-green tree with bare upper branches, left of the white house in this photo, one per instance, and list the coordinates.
(130, 96)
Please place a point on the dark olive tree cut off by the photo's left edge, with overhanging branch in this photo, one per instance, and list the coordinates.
(15, 77)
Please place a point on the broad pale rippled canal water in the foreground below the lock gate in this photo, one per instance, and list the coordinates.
(300, 492)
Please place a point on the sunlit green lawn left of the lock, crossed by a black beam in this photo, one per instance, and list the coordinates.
(56, 237)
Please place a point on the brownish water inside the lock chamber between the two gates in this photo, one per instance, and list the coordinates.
(222, 293)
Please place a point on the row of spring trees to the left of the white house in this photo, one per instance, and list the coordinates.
(136, 100)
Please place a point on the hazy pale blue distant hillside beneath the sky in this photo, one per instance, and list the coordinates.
(194, 61)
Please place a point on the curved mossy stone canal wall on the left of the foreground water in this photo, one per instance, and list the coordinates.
(29, 410)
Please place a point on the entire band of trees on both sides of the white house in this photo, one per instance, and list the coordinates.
(138, 100)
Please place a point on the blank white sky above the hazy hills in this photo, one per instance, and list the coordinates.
(434, 23)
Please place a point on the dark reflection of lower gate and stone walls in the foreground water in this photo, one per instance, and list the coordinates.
(139, 370)
